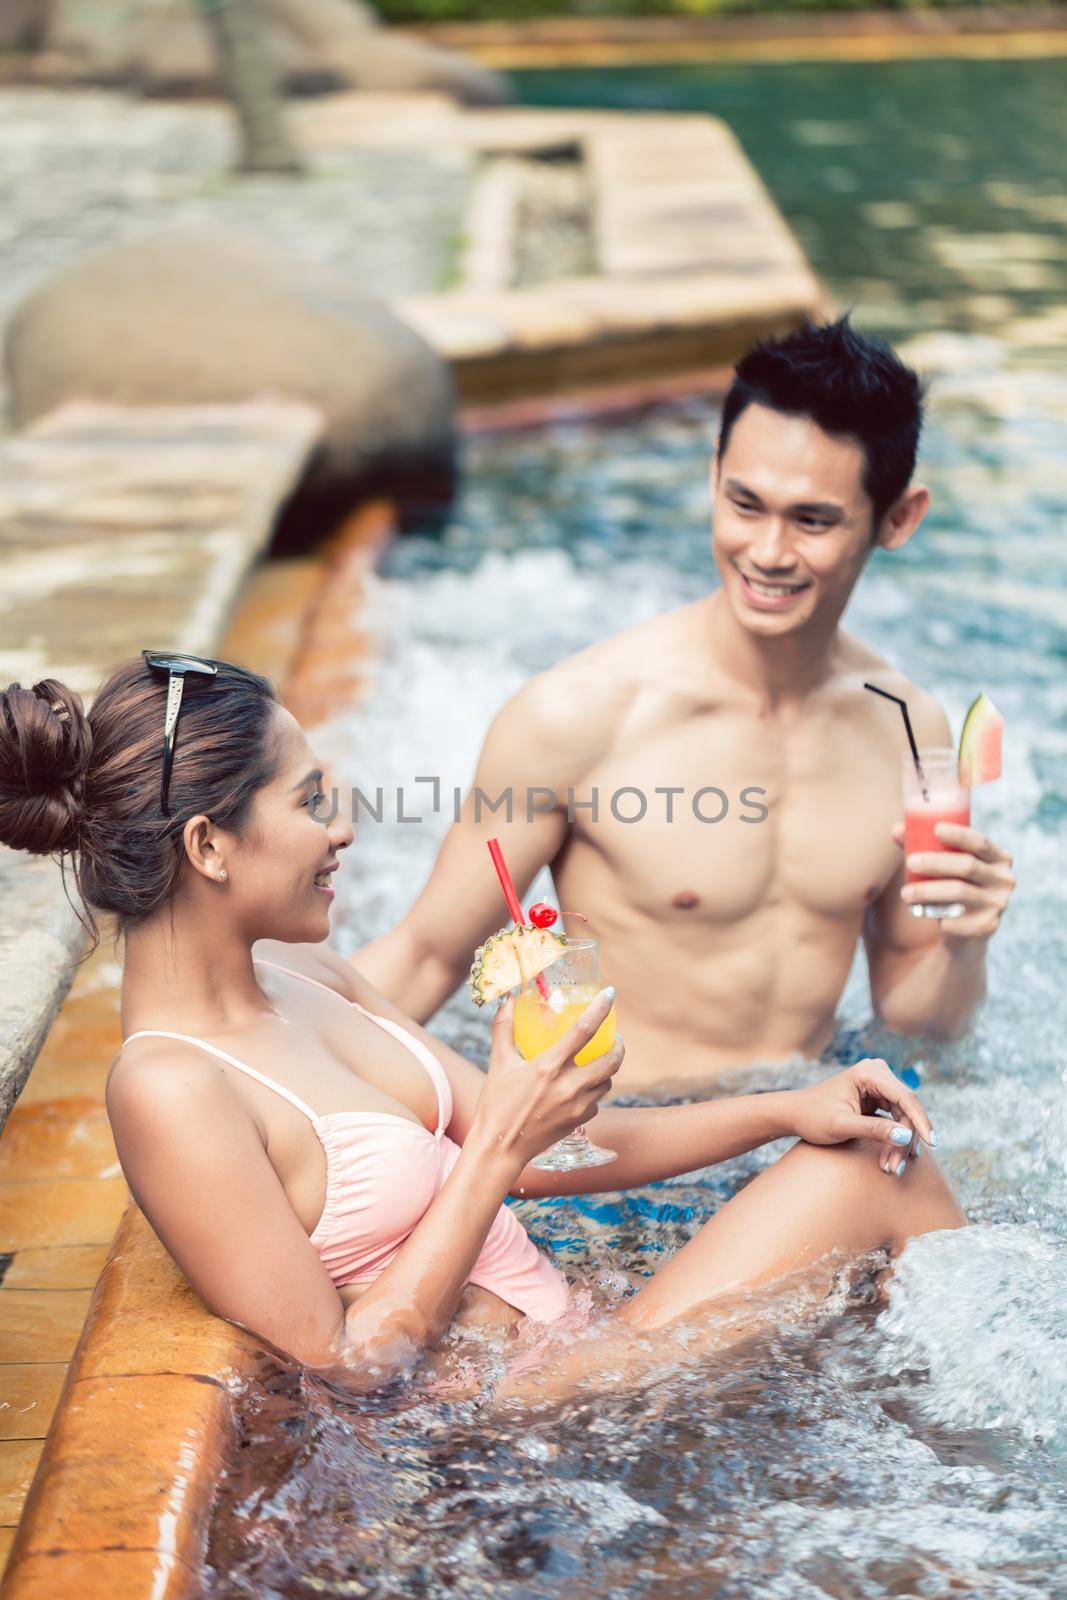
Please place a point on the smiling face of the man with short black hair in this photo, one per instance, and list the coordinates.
(793, 521)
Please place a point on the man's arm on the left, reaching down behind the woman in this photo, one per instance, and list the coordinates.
(530, 756)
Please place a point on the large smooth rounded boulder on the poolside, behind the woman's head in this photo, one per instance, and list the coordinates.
(204, 316)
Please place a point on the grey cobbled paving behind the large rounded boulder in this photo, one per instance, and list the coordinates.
(84, 169)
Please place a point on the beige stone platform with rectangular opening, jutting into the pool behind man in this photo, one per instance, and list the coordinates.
(693, 258)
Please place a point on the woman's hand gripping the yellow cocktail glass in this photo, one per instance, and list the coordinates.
(526, 1106)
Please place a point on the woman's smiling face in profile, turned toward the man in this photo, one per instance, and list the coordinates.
(281, 871)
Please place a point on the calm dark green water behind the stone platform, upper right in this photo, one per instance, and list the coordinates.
(929, 194)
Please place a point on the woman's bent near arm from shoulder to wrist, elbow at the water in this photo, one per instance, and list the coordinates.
(198, 1167)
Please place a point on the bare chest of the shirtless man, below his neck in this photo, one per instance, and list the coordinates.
(716, 820)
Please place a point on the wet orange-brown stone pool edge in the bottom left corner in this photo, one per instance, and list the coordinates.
(145, 1425)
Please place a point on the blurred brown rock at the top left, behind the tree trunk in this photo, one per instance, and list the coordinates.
(162, 47)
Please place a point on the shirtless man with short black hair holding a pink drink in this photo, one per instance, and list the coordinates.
(730, 937)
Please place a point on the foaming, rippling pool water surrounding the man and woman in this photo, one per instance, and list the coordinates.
(850, 1454)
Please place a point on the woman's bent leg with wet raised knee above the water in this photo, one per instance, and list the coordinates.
(813, 1201)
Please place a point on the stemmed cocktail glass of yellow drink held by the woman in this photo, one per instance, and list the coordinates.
(541, 1020)
